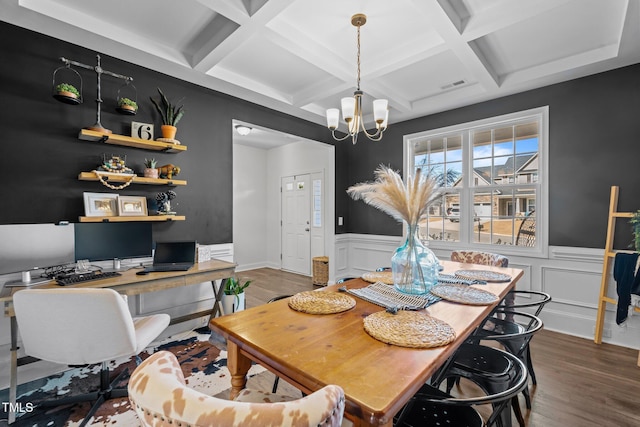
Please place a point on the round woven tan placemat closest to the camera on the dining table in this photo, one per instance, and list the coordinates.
(409, 329)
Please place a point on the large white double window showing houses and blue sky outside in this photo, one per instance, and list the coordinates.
(494, 173)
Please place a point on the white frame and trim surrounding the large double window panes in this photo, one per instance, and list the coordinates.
(466, 191)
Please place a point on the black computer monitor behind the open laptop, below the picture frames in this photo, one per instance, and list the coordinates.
(113, 240)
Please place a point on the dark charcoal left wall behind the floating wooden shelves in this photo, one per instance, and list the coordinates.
(42, 155)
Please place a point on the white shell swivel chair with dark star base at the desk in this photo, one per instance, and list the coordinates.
(77, 326)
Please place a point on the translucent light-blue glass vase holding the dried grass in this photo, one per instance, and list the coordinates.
(414, 266)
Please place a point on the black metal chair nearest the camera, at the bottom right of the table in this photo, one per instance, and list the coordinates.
(432, 407)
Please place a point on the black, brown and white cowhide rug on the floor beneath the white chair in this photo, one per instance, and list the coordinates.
(204, 367)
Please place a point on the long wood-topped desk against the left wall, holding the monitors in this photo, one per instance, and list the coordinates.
(127, 284)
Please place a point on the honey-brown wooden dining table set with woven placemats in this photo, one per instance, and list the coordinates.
(311, 351)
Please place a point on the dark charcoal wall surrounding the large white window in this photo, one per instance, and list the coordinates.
(594, 143)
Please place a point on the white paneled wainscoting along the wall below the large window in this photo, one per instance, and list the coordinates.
(570, 275)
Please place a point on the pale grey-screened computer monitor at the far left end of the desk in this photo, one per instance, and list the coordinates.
(30, 247)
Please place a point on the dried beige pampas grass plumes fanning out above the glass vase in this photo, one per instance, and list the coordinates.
(390, 194)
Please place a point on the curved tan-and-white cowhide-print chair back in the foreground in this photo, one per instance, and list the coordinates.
(159, 395)
